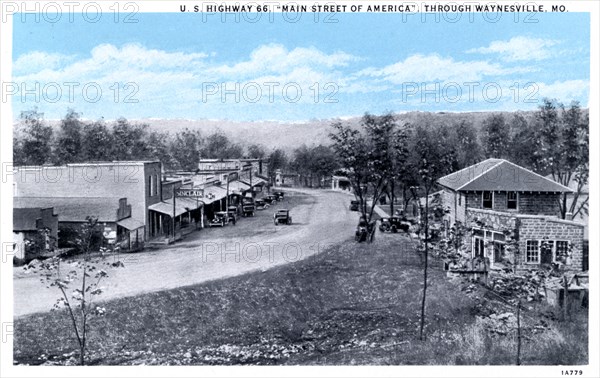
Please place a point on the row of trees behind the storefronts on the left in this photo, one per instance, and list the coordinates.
(35, 142)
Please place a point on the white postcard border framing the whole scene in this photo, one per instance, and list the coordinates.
(6, 307)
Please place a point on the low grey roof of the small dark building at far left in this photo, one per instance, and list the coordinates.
(74, 209)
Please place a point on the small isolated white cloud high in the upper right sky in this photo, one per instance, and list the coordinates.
(519, 49)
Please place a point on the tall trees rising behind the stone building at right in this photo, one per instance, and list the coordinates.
(388, 156)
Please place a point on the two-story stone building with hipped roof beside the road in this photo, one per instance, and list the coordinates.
(498, 200)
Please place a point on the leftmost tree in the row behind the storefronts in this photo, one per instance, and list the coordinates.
(35, 149)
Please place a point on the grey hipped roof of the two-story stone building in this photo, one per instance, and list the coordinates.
(500, 175)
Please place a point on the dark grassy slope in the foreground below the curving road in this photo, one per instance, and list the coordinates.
(352, 304)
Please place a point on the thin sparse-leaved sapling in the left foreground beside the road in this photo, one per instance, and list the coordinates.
(79, 303)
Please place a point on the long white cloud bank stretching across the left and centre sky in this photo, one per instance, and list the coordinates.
(174, 80)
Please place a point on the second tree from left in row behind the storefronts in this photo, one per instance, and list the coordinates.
(68, 144)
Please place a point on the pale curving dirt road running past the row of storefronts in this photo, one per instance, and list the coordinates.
(320, 218)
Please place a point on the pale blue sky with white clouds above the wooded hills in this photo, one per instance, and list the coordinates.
(181, 66)
